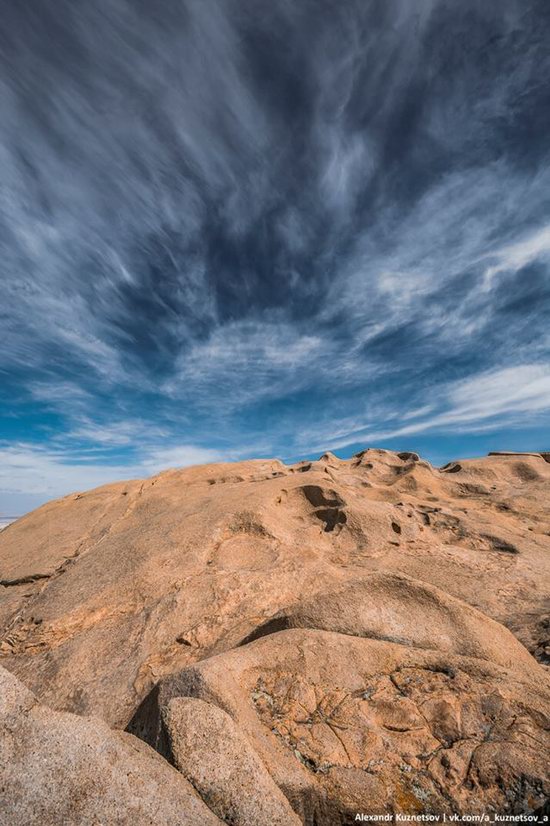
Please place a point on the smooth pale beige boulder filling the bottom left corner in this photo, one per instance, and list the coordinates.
(57, 768)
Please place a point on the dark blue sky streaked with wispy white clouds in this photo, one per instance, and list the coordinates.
(251, 228)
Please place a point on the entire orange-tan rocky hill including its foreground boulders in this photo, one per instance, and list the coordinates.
(261, 644)
